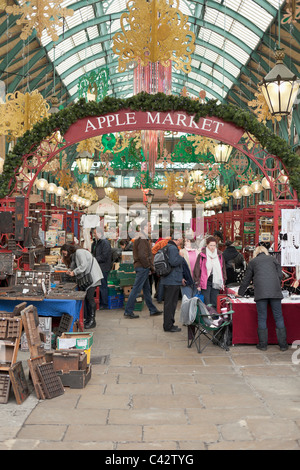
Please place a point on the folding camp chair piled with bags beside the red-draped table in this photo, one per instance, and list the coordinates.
(203, 326)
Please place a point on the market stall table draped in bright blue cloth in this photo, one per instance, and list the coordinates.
(49, 307)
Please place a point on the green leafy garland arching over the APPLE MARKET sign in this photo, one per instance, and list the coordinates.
(144, 102)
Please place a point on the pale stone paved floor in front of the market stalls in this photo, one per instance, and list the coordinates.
(157, 394)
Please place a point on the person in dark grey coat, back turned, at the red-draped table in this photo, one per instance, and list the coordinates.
(266, 274)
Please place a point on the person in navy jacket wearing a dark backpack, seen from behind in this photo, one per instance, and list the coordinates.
(172, 283)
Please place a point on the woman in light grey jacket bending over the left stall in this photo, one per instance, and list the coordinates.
(85, 268)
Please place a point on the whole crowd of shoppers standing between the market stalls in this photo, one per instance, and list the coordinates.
(194, 269)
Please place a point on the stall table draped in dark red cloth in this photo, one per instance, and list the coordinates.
(244, 321)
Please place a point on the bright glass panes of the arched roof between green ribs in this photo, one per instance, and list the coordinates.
(244, 21)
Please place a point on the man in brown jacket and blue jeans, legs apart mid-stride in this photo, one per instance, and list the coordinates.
(143, 265)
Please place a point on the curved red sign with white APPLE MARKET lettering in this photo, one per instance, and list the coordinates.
(127, 120)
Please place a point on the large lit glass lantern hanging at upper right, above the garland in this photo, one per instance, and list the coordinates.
(280, 87)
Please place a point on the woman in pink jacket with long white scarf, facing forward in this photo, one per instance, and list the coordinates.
(210, 272)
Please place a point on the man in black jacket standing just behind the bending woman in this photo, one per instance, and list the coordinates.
(101, 249)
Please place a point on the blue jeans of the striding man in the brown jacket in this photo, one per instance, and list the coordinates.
(141, 283)
